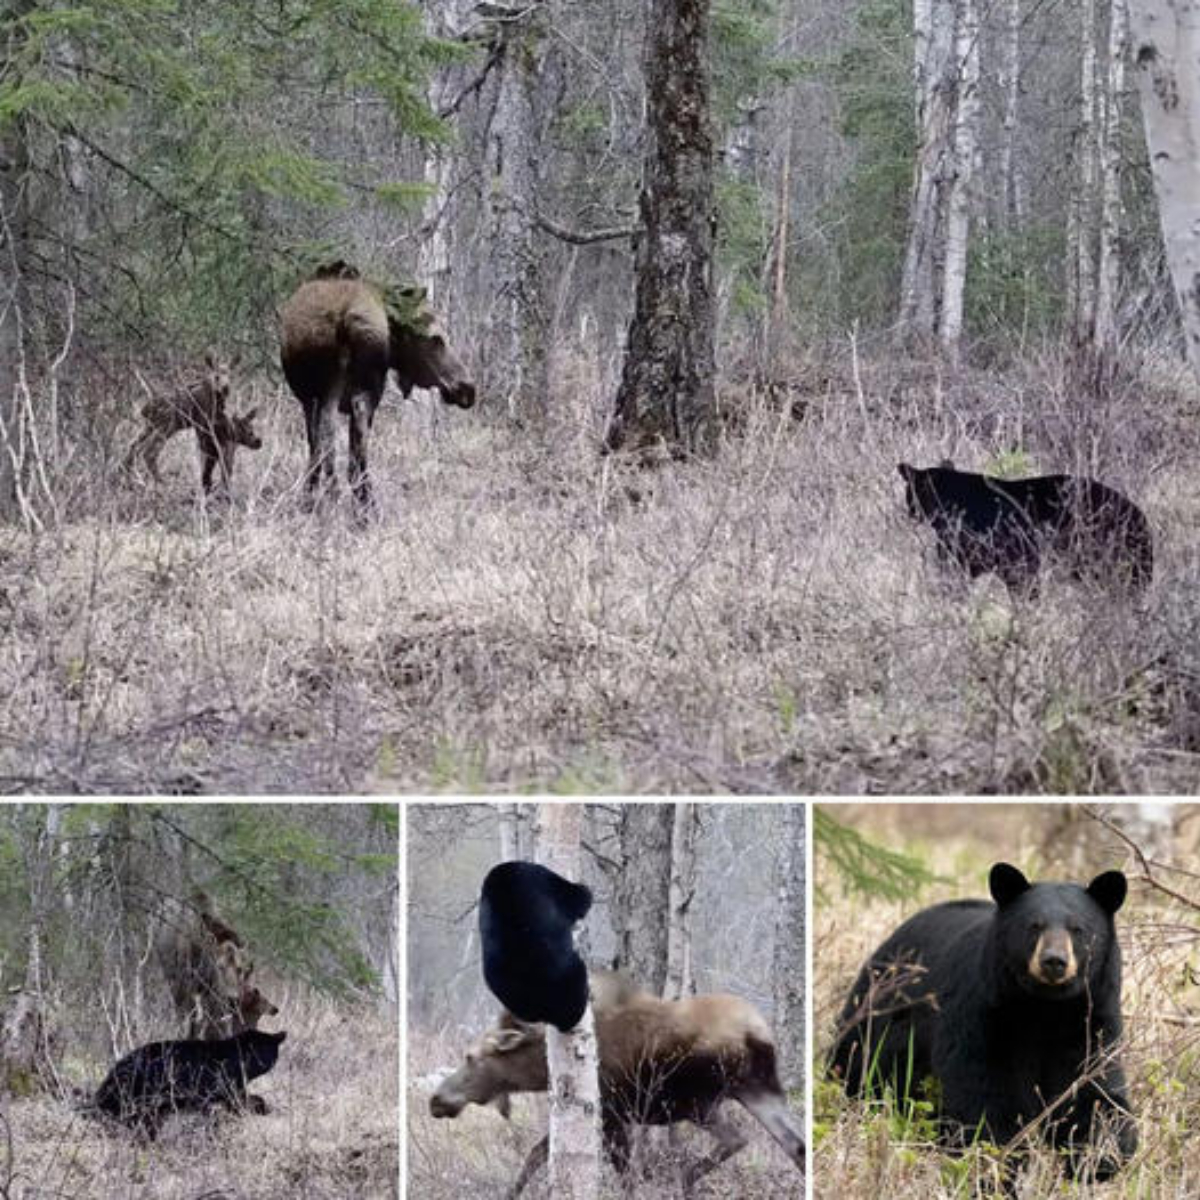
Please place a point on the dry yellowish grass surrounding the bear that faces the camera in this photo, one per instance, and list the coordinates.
(862, 1153)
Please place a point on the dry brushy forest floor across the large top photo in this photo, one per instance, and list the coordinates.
(525, 616)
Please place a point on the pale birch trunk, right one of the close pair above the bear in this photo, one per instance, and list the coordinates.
(958, 218)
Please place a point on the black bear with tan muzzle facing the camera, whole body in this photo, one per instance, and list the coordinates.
(1009, 1007)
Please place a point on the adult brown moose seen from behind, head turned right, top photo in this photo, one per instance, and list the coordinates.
(340, 338)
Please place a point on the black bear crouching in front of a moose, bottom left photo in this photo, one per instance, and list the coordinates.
(157, 1081)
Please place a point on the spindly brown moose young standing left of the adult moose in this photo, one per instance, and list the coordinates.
(199, 406)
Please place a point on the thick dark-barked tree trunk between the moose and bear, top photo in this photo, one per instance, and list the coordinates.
(667, 394)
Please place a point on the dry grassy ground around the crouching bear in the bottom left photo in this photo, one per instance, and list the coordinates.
(332, 1132)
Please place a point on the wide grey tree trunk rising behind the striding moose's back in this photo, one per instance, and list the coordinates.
(641, 892)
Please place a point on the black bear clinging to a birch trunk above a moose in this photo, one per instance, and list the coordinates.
(526, 919)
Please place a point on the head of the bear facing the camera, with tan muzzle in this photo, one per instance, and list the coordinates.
(1055, 940)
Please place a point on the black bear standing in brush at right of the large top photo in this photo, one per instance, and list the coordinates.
(1007, 526)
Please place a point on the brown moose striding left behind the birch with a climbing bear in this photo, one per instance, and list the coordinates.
(661, 1063)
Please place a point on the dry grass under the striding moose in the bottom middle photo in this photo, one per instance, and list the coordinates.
(478, 1155)
